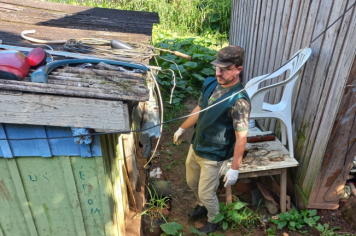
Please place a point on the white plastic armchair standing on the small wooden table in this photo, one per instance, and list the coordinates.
(283, 109)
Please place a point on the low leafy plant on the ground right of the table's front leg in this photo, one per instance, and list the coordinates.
(295, 220)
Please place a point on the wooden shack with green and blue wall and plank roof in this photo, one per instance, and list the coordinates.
(50, 182)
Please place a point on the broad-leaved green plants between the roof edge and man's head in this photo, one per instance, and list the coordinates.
(190, 75)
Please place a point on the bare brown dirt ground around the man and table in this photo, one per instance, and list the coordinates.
(171, 160)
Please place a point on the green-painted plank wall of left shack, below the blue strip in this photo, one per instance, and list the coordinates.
(65, 195)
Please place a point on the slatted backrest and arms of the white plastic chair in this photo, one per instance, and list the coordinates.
(294, 65)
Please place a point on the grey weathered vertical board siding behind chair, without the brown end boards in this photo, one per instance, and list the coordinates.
(271, 32)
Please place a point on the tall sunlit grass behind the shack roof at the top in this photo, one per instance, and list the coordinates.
(195, 17)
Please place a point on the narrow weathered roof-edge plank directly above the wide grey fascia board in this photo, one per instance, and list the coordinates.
(71, 91)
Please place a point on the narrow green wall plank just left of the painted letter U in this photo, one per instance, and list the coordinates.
(22, 197)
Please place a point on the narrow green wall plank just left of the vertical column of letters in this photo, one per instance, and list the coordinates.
(73, 196)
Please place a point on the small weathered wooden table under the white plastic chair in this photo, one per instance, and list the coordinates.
(273, 168)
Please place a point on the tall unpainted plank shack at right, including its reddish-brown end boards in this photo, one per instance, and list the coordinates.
(324, 104)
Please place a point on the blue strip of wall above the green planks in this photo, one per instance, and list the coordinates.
(53, 146)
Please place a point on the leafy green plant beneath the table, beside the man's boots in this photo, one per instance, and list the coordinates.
(237, 215)
